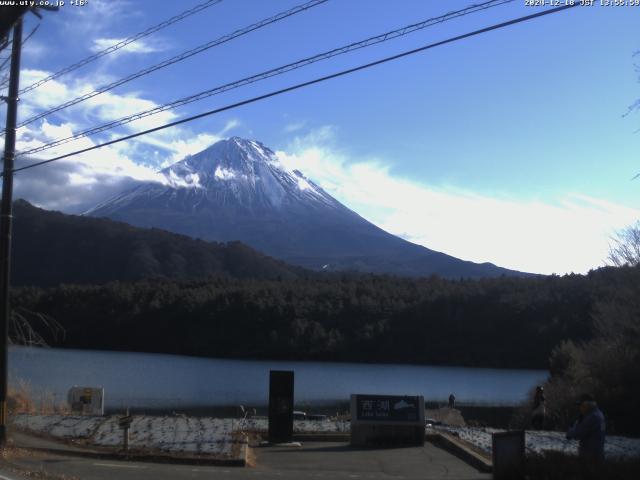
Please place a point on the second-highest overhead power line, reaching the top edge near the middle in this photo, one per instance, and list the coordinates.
(178, 58)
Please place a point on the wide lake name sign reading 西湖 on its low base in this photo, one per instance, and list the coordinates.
(387, 420)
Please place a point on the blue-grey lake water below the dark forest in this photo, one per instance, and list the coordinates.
(143, 380)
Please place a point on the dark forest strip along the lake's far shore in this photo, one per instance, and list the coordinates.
(504, 322)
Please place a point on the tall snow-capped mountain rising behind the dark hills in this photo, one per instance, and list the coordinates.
(237, 189)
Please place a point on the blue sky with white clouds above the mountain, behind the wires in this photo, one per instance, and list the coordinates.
(509, 147)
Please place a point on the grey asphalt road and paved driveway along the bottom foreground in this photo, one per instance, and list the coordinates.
(313, 460)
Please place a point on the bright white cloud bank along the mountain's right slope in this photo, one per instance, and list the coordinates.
(570, 234)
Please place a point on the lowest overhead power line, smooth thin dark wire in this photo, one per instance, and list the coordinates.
(305, 84)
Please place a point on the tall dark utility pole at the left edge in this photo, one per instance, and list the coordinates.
(5, 222)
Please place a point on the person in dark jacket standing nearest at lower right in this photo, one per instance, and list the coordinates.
(589, 430)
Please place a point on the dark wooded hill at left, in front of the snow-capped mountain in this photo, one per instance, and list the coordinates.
(51, 248)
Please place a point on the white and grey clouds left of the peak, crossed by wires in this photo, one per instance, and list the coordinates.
(89, 178)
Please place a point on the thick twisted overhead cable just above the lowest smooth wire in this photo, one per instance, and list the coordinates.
(271, 73)
